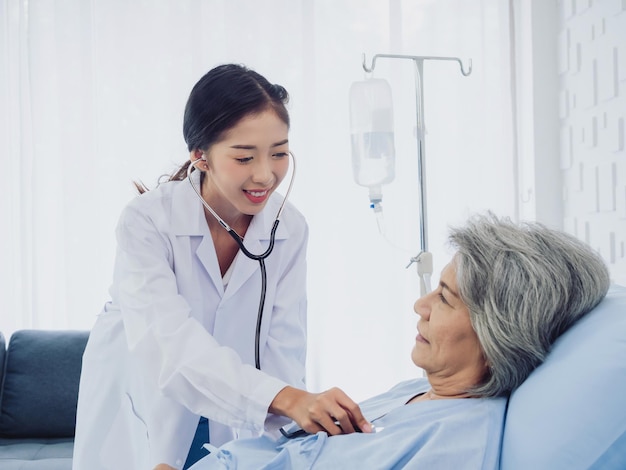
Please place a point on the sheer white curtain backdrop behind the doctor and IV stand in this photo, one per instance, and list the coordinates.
(92, 95)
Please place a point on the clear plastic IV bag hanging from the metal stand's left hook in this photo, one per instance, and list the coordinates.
(371, 127)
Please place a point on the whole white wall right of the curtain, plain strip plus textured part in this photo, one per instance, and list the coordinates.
(569, 106)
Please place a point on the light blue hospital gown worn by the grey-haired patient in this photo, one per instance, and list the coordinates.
(438, 434)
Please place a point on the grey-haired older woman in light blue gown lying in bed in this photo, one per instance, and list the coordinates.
(507, 294)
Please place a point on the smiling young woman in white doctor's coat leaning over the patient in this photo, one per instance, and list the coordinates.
(177, 340)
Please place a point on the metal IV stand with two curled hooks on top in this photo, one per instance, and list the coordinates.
(424, 259)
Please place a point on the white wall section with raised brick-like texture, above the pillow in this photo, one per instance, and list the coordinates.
(592, 110)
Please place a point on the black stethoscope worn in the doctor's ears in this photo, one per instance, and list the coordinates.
(260, 258)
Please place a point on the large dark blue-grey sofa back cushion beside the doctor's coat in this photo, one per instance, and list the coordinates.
(40, 388)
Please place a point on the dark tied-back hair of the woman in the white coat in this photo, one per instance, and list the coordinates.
(219, 100)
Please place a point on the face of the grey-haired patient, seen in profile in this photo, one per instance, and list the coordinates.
(447, 346)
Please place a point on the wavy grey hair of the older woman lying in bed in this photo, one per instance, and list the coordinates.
(524, 286)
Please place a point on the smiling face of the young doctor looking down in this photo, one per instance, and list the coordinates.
(246, 166)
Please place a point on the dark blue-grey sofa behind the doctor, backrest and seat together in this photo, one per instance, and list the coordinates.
(40, 371)
